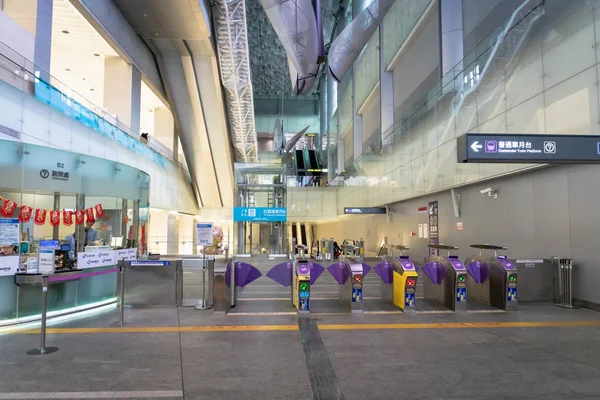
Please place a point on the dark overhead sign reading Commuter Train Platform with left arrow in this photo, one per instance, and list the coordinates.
(528, 149)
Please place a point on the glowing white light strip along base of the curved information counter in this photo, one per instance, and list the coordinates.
(57, 316)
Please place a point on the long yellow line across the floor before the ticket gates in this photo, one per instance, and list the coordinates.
(329, 327)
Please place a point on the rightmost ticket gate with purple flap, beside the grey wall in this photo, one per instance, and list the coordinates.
(492, 278)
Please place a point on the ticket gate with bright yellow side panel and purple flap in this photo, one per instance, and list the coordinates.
(398, 280)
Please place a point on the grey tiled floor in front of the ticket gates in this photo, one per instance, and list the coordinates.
(428, 356)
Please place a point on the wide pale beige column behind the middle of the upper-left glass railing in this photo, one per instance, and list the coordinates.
(122, 91)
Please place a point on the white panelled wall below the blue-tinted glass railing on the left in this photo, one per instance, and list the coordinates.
(170, 188)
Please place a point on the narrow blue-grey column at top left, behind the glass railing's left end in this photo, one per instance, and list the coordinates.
(43, 39)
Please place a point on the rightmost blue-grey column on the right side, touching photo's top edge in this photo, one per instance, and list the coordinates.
(451, 34)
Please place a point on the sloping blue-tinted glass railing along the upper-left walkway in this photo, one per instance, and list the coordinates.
(23, 74)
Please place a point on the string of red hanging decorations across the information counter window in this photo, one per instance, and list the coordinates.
(8, 208)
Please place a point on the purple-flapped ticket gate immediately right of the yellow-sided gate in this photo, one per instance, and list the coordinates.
(446, 282)
